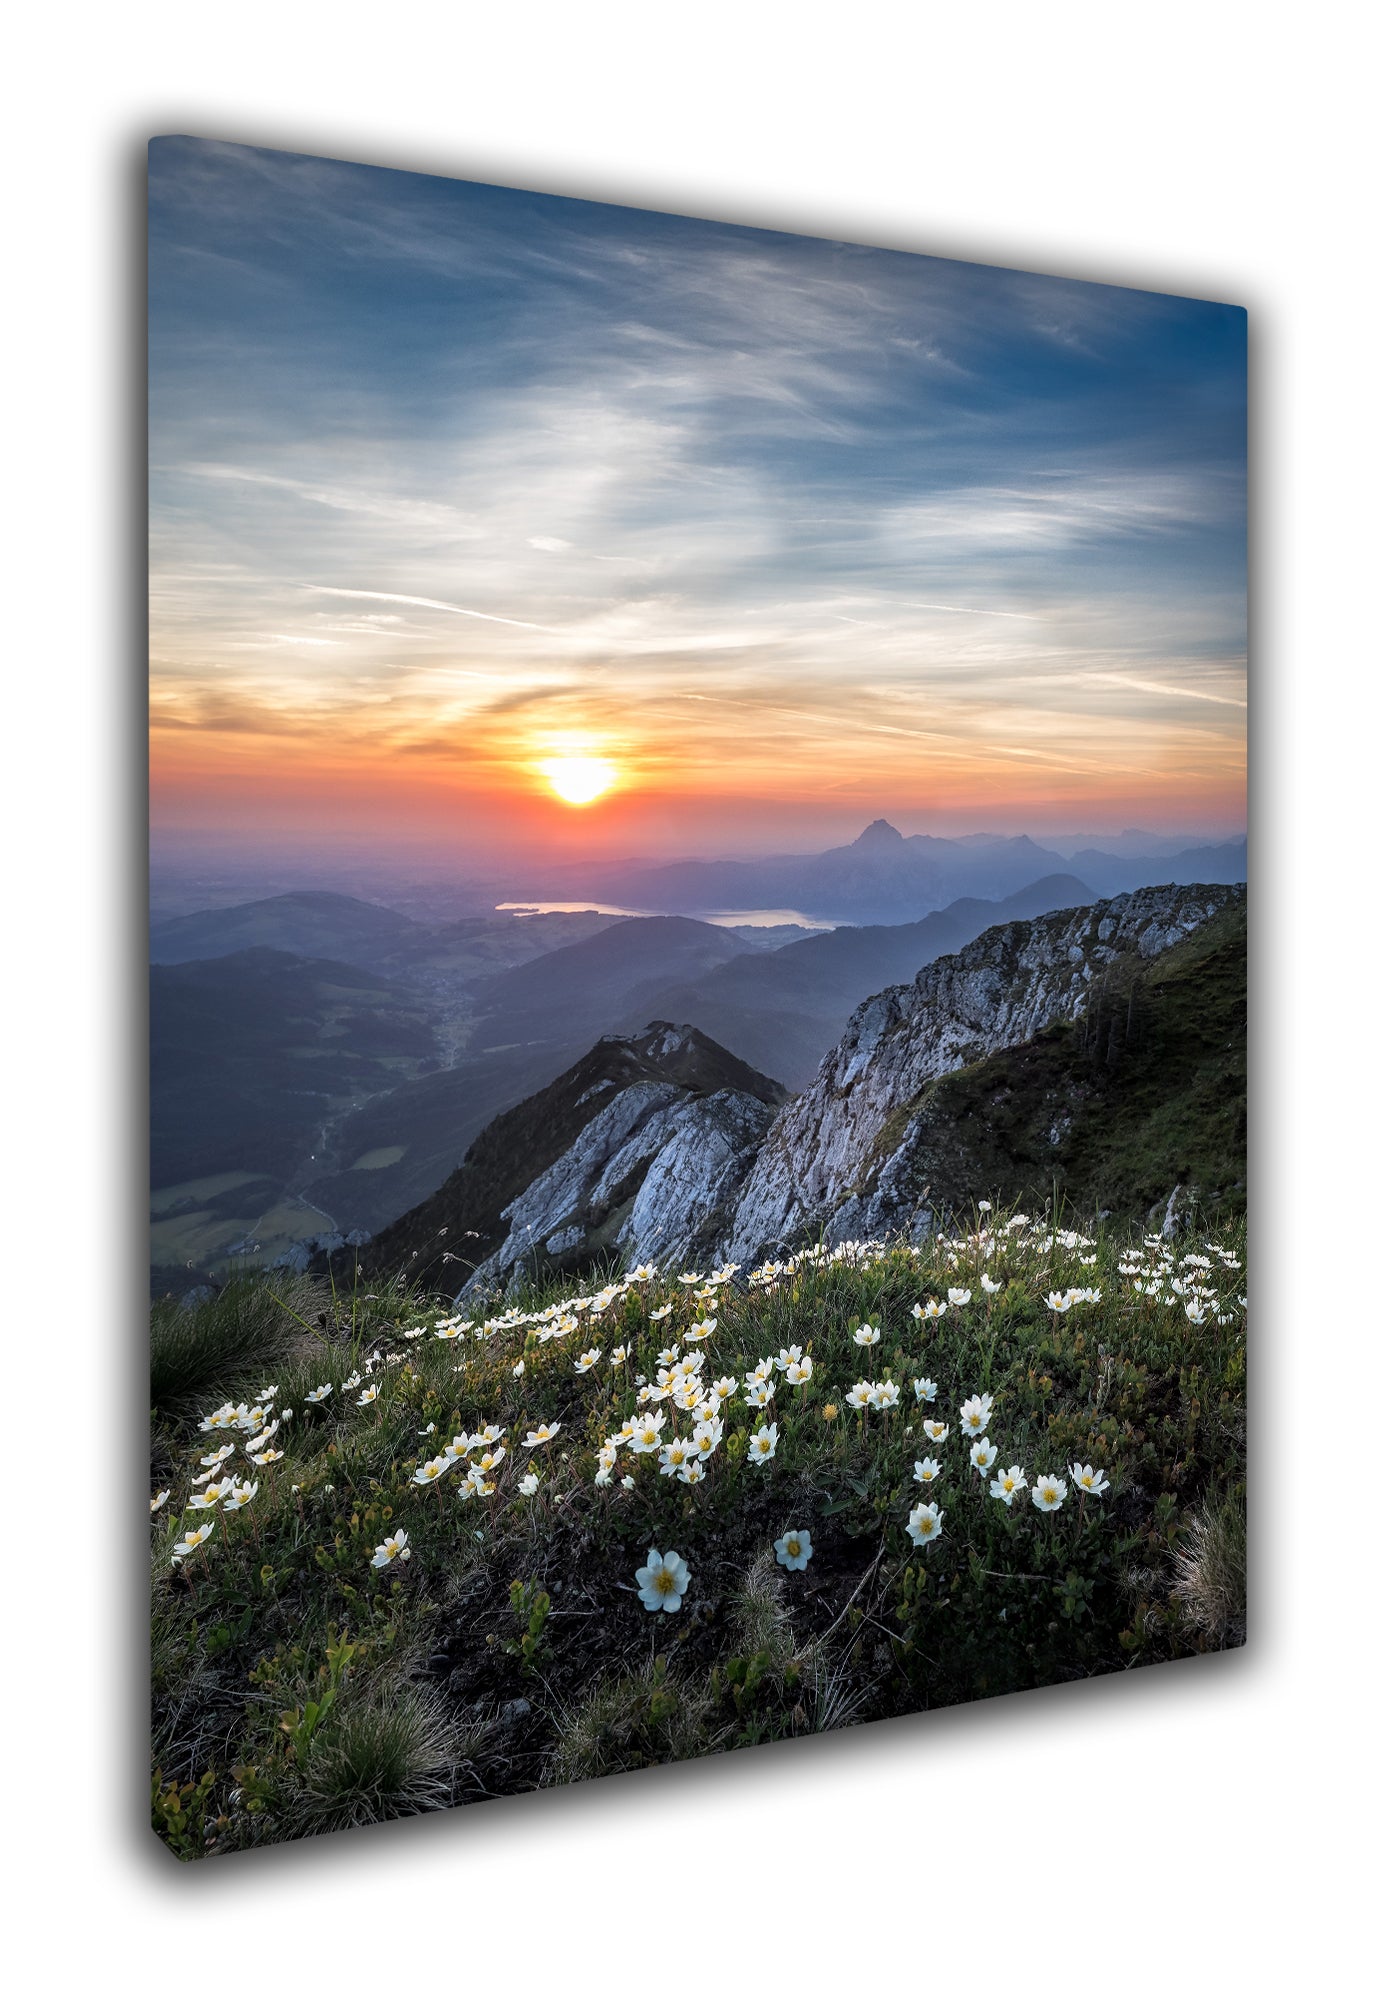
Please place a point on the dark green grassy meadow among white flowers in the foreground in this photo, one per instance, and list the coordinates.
(298, 1689)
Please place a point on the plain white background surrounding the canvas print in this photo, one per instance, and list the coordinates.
(1188, 1828)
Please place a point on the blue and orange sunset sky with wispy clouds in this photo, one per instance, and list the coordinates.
(452, 486)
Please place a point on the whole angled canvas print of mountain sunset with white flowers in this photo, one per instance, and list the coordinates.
(697, 983)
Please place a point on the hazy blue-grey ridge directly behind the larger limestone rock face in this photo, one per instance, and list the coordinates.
(787, 1008)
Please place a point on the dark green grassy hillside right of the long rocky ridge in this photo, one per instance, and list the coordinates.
(1148, 1092)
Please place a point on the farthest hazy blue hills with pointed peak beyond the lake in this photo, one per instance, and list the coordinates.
(886, 879)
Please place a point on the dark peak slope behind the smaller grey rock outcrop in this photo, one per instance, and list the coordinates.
(659, 1068)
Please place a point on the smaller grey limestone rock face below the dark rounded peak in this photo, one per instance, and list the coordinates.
(655, 1176)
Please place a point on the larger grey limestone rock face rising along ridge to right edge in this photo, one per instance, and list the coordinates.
(839, 1156)
